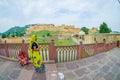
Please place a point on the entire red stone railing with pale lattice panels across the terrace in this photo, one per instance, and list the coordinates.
(57, 53)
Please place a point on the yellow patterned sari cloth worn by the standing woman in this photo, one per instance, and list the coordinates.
(35, 55)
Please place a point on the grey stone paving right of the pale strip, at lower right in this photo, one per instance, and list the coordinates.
(104, 66)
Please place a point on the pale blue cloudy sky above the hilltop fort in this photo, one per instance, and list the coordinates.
(89, 13)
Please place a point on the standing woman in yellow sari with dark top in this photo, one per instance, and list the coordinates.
(35, 55)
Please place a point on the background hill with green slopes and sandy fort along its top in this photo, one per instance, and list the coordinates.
(43, 30)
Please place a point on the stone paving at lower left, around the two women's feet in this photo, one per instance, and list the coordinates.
(14, 71)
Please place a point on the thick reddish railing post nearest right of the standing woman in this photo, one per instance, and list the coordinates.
(52, 50)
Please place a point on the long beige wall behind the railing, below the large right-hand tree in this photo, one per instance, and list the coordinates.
(86, 39)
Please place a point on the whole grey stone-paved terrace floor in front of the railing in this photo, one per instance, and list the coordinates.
(103, 66)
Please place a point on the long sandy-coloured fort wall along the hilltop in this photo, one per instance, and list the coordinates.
(51, 27)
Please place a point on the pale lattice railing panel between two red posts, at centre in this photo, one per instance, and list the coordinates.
(66, 53)
